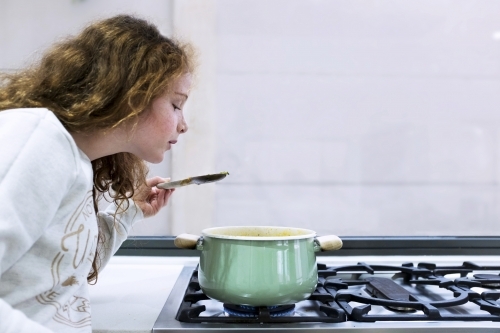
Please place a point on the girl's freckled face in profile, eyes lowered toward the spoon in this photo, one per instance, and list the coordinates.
(160, 125)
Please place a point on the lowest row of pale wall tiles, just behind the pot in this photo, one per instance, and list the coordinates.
(363, 210)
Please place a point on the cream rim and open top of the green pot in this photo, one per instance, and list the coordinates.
(253, 233)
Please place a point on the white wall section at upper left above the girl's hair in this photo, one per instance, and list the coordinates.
(27, 27)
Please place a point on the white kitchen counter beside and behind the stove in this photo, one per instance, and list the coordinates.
(132, 290)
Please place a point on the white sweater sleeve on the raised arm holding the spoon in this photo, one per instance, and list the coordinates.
(115, 230)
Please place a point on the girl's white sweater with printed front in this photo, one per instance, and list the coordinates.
(48, 228)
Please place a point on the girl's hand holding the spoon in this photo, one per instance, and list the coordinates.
(151, 199)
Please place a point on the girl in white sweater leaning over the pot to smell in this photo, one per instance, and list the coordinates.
(76, 126)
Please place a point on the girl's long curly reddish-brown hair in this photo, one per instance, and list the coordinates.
(105, 76)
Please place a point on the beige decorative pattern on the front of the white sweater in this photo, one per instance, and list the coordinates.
(78, 246)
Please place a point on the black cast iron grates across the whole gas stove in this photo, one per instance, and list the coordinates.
(338, 300)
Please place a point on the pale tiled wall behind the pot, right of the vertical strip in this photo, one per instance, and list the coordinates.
(359, 117)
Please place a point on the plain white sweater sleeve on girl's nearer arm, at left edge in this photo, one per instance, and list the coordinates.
(35, 174)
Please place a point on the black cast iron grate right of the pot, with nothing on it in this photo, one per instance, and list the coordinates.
(421, 310)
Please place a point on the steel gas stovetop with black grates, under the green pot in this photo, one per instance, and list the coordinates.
(361, 296)
